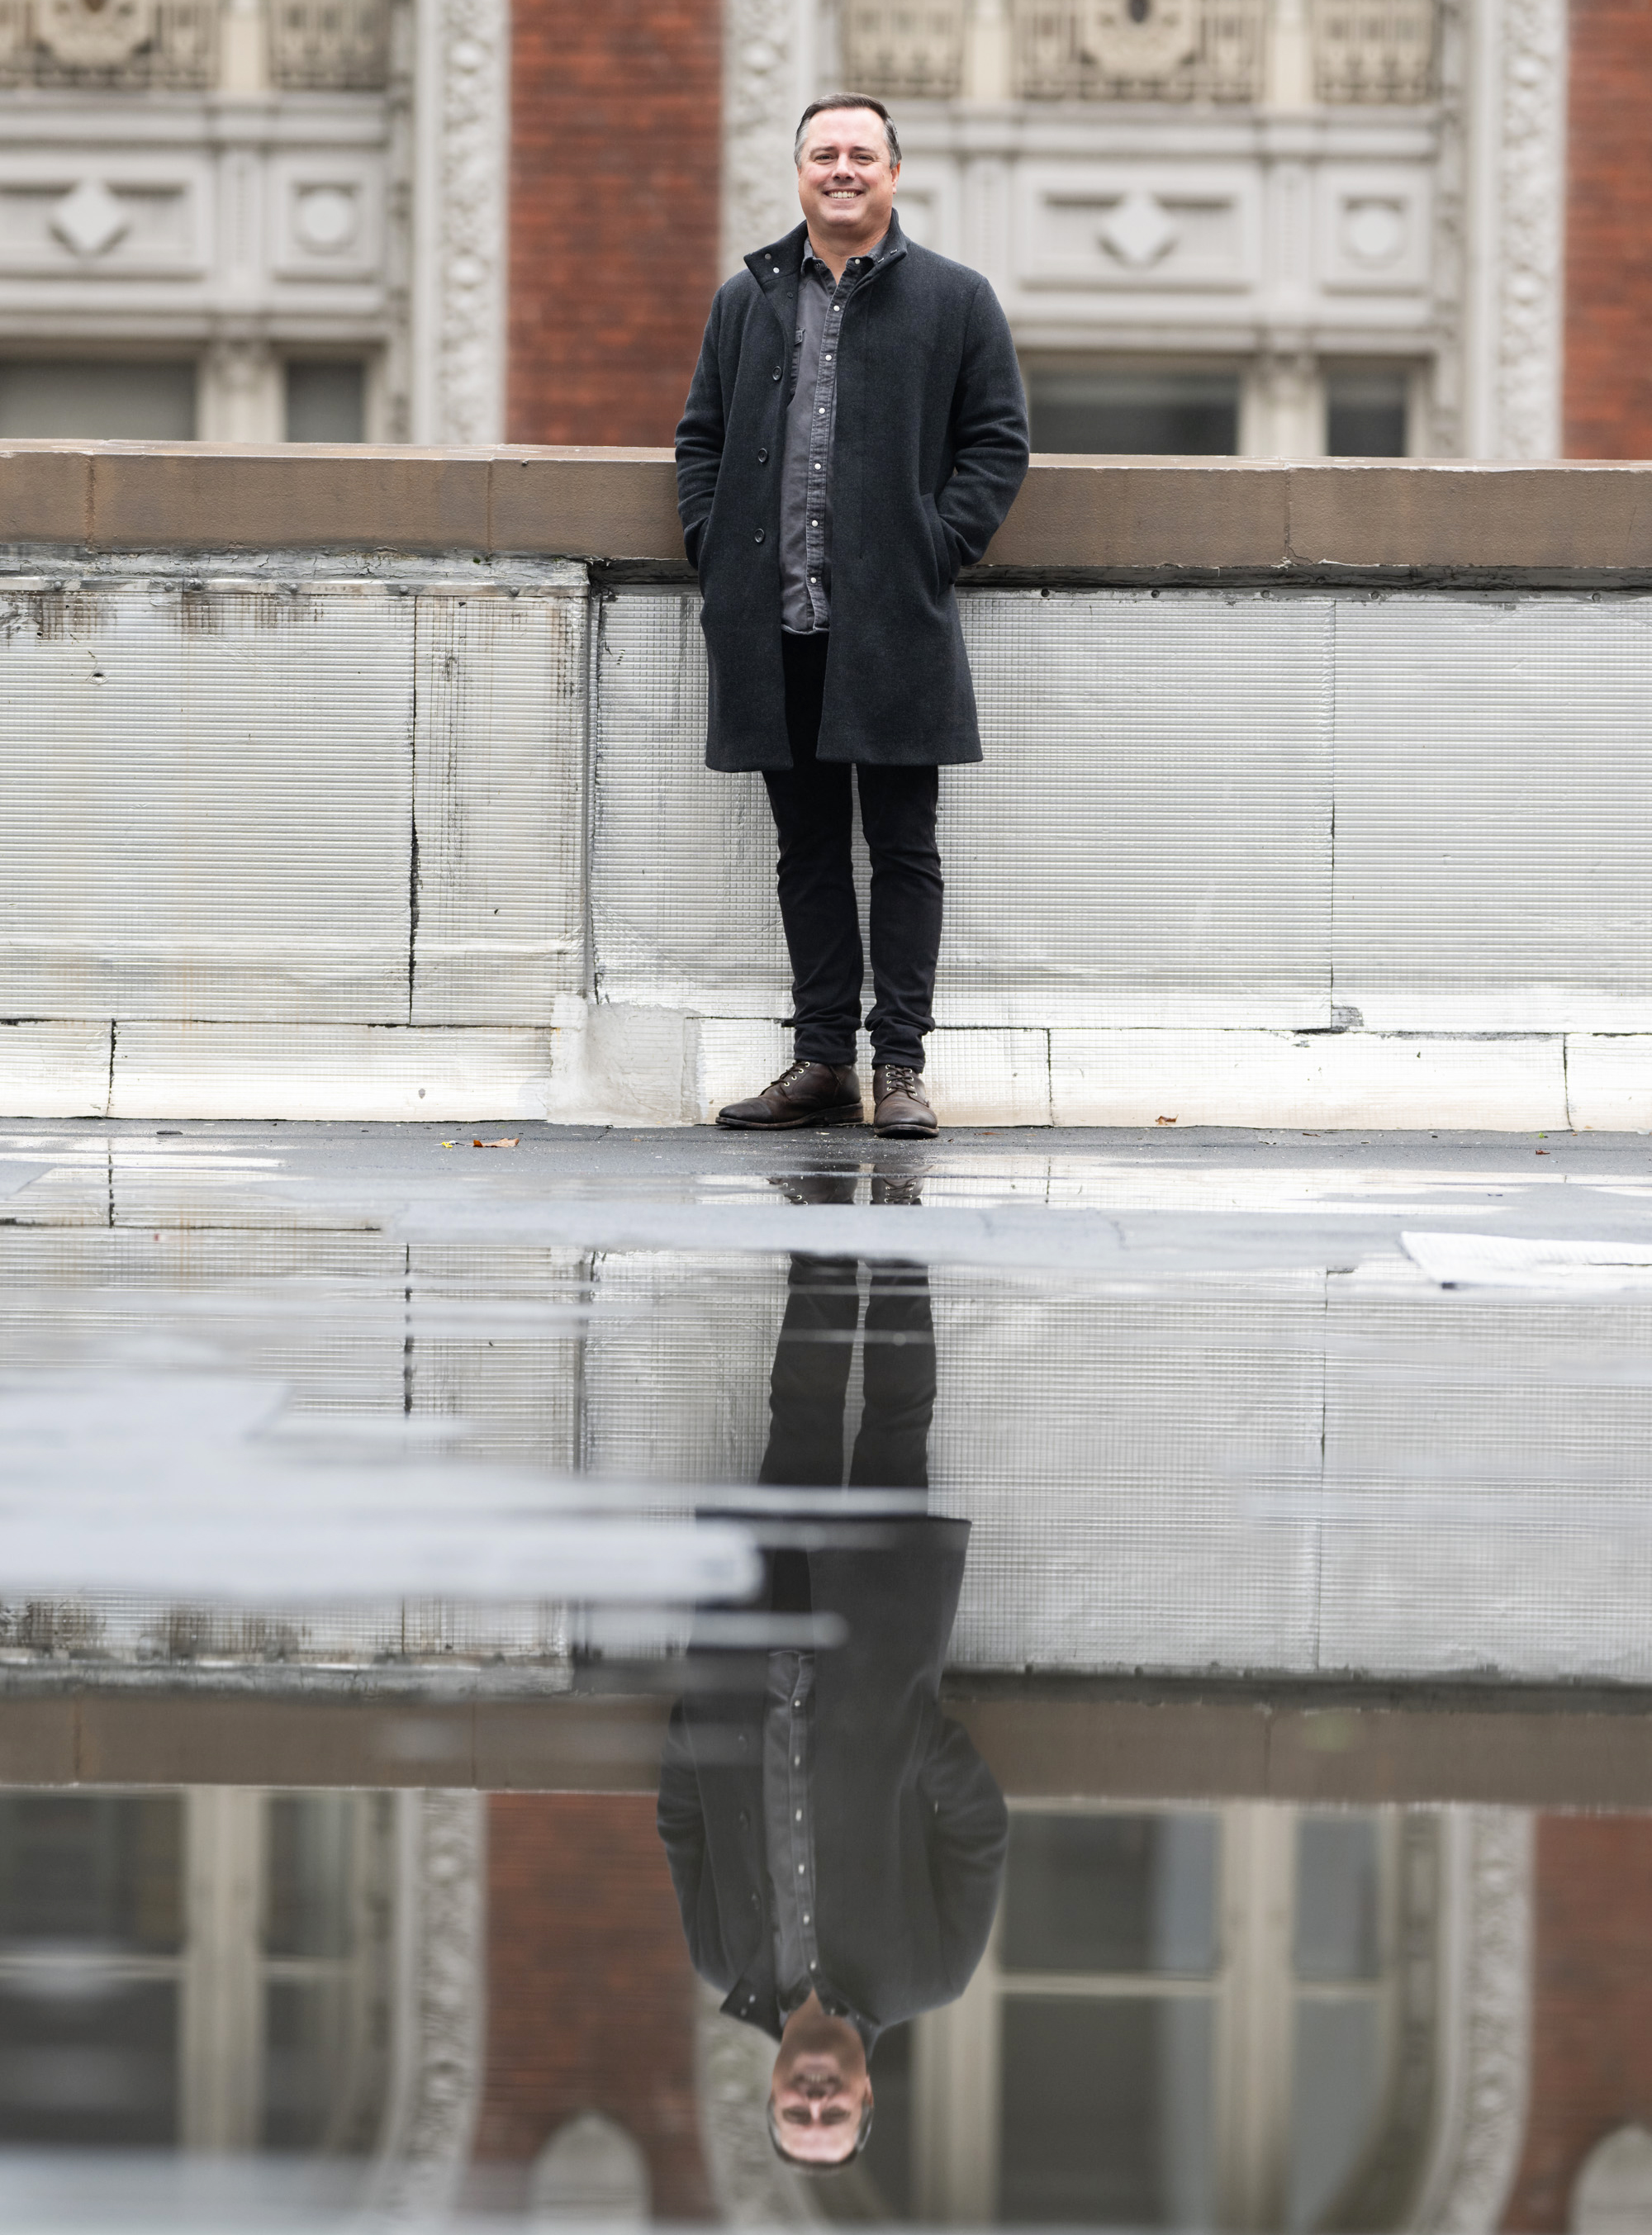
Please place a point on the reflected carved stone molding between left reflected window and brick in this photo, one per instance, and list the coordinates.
(442, 2010)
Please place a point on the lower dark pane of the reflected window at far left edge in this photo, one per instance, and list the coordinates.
(88, 2060)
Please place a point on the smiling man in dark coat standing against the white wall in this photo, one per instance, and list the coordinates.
(853, 437)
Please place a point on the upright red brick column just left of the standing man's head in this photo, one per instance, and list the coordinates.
(616, 184)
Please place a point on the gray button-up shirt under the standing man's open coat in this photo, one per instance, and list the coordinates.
(813, 417)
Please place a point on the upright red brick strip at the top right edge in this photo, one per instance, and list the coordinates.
(1608, 350)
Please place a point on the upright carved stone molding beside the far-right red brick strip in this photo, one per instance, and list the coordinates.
(1530, 229)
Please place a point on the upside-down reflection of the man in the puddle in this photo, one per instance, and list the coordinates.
(835, 1843)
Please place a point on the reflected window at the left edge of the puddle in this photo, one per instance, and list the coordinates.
(202, 1970)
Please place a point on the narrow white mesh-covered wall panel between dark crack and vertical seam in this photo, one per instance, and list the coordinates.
(500, 806)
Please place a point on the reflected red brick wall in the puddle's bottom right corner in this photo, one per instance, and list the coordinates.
(1591, 2004)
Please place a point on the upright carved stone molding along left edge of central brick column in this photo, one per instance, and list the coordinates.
(459, 231)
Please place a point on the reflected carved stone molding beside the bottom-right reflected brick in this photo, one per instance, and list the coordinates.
(1488, 2026)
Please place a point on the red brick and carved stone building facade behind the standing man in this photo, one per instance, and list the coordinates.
(1217, 225)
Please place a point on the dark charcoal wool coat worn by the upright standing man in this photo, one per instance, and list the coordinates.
(931, 448)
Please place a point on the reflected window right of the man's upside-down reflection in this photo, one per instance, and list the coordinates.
(1190, 2019)
